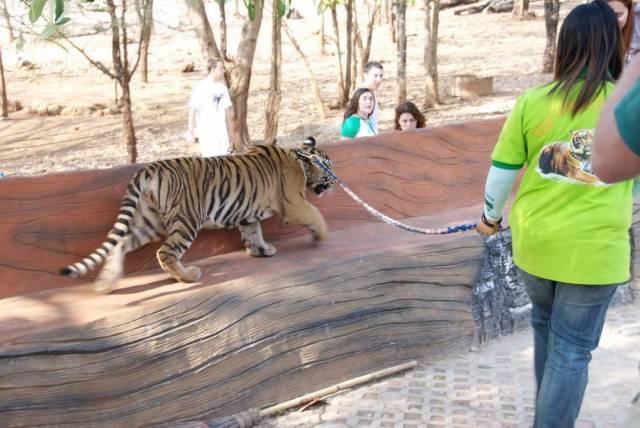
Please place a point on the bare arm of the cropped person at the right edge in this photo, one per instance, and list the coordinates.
(612, 159)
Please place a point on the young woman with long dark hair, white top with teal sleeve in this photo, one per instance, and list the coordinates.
(357, 117)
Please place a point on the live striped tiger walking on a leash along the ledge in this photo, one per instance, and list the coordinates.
(172, 200)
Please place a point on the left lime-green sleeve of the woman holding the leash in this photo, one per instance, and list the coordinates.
(511, 150)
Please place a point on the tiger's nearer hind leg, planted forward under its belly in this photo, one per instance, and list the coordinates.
(171, 251)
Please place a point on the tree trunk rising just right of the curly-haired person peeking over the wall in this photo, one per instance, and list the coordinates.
(431, 21)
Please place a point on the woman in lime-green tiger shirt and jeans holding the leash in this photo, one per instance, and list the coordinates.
(570, 230)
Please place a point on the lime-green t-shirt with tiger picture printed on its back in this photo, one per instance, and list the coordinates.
(567, 225)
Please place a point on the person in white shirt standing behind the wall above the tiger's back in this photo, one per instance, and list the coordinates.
(210, 115)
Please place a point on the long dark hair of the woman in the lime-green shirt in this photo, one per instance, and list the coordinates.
(589, 42)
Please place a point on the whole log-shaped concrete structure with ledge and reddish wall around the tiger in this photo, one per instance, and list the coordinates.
(254, 331)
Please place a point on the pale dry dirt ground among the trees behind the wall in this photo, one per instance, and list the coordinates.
(484, 45)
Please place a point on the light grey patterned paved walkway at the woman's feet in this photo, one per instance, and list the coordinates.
(493, 387)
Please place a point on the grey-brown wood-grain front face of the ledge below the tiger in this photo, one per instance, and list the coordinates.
(267, 336)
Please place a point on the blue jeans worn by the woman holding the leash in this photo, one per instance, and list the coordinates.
(567, 321)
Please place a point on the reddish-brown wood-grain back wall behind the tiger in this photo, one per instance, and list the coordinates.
(51, 221)
